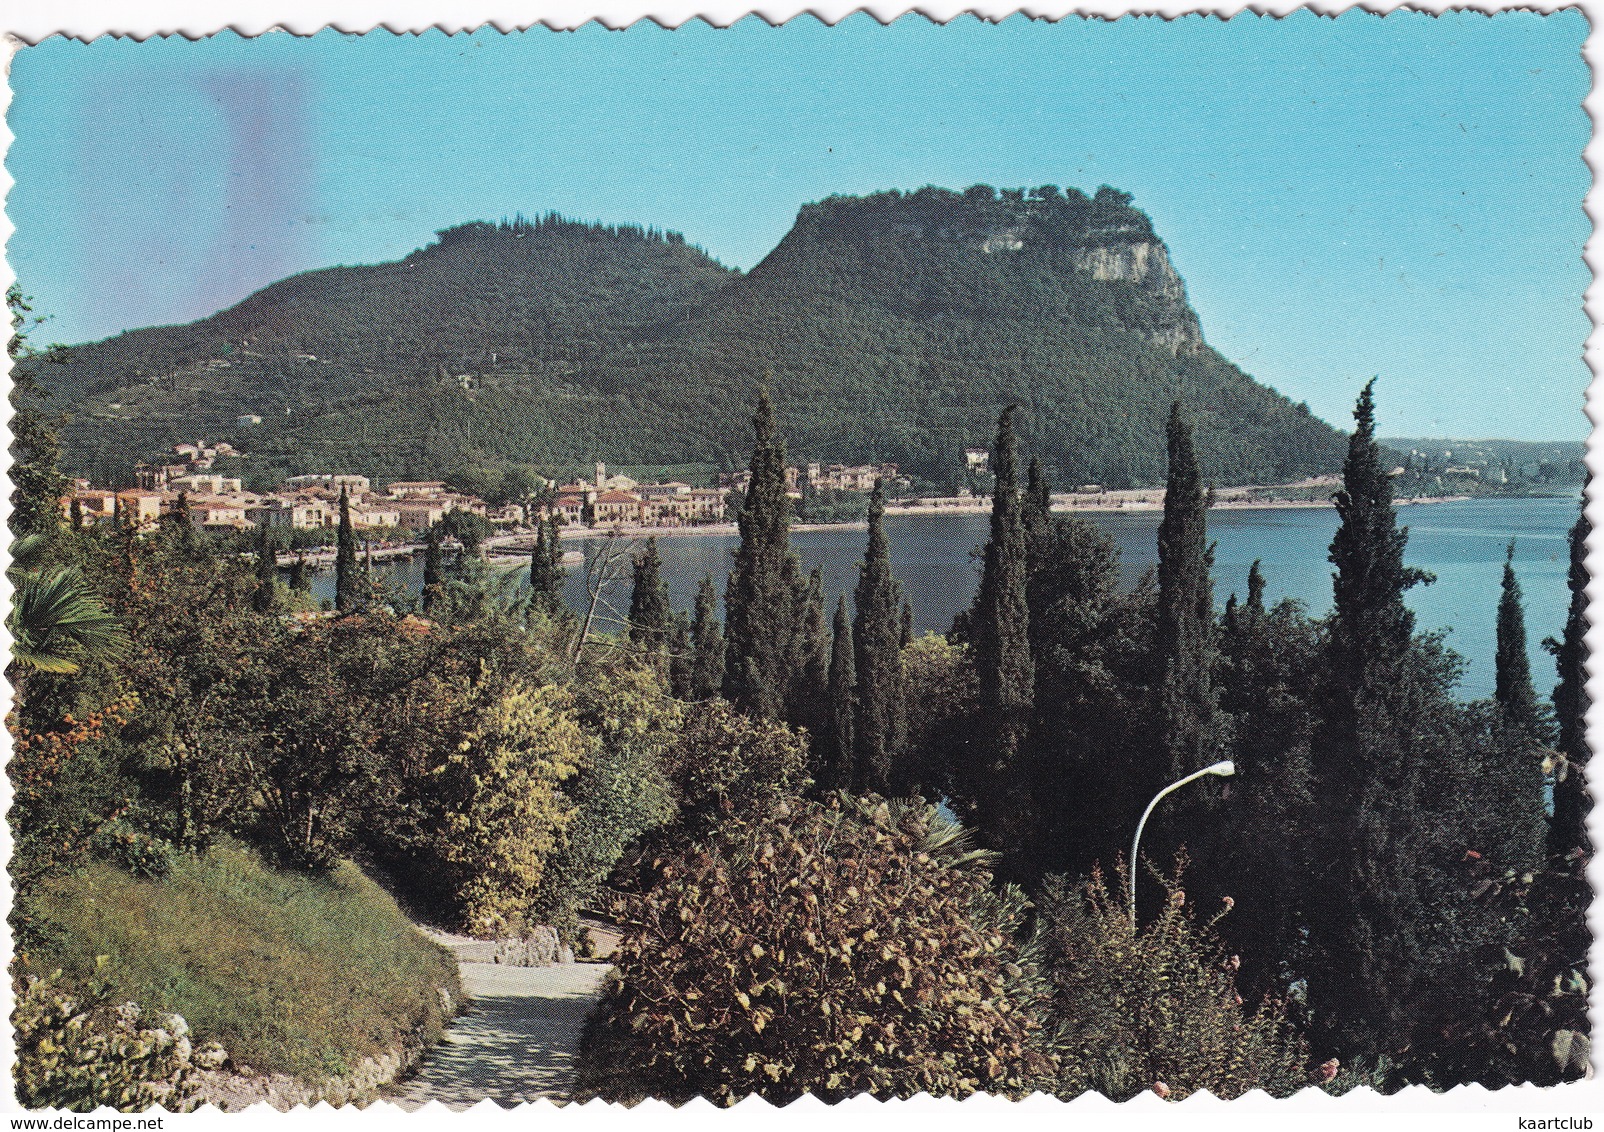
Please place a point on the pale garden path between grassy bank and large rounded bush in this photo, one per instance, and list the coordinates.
(519, 1040)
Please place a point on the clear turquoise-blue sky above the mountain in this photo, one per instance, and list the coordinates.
(1347, 198)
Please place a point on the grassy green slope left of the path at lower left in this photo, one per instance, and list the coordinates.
(291, 974)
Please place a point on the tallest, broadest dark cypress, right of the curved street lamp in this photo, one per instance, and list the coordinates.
(1375, 912)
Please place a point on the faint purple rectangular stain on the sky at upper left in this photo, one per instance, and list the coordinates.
(217, 208)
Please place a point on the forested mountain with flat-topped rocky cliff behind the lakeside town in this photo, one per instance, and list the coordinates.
(891, 328)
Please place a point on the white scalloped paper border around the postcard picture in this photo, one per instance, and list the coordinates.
(26, 23)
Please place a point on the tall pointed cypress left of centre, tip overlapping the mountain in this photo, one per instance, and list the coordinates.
(761, 596)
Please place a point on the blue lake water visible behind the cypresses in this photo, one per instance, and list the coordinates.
(1462, 544)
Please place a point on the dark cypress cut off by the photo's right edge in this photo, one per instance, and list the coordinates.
(1568, 830)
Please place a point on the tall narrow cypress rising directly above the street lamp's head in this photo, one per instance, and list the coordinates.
(1186, 612)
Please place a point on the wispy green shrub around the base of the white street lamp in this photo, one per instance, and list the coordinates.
(1157, 1009)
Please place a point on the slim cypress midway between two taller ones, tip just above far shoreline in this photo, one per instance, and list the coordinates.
(877, 634)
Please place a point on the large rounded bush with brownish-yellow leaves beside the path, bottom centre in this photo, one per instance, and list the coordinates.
(841, 948)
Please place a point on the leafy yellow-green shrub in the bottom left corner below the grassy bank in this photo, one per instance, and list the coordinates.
(81, 1051)
